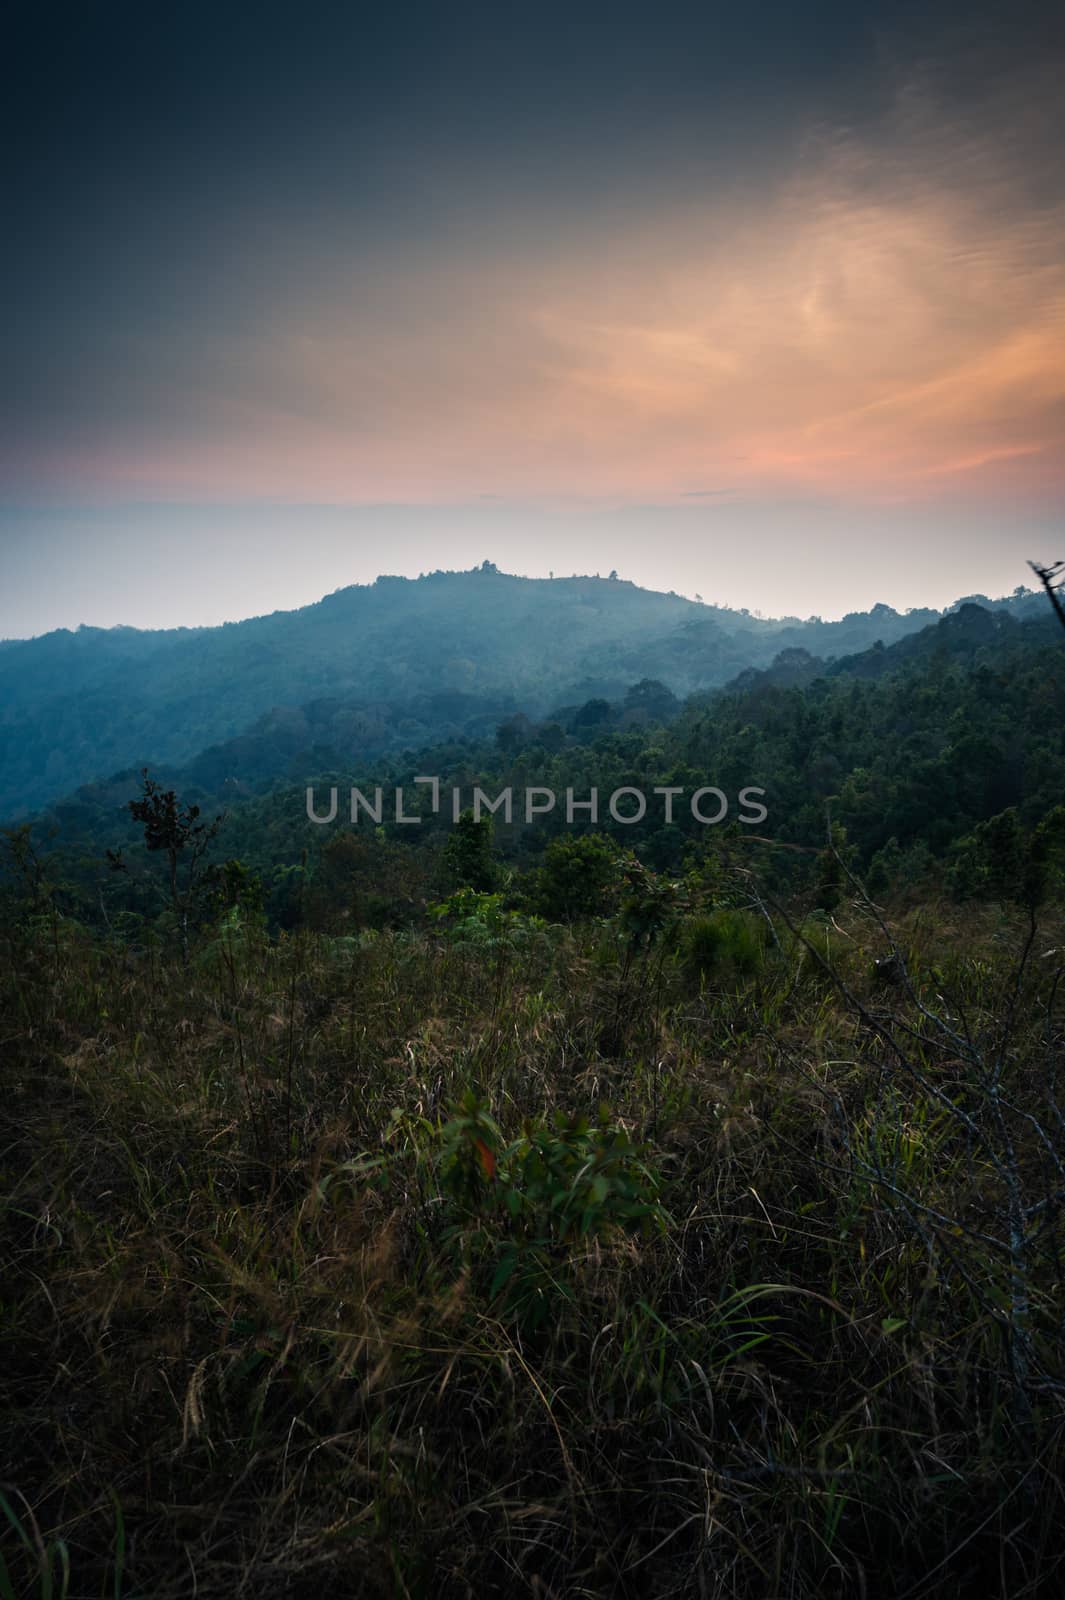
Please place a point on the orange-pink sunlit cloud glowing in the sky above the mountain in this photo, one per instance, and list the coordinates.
(888, 324)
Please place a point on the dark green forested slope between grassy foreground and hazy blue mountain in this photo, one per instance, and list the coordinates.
(909, 751)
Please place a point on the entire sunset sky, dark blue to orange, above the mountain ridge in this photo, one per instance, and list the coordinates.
(762, 303)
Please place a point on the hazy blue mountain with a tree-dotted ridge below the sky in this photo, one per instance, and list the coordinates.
(393, 665)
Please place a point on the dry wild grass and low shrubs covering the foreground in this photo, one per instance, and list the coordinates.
(692, 1257)
